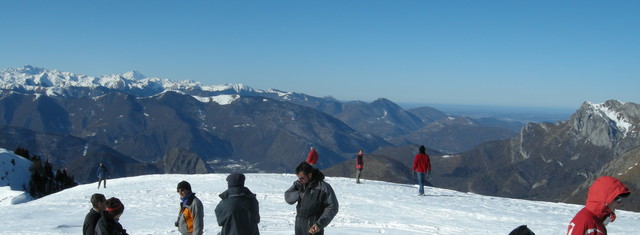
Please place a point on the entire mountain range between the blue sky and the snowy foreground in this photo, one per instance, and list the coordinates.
(140, 125)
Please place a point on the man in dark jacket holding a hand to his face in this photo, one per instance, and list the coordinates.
(317, 203)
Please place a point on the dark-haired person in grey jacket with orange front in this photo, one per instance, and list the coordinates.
(191, 215)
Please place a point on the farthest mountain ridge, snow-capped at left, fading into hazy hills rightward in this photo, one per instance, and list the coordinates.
(381, 117)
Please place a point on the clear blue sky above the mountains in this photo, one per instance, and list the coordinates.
(505, 53)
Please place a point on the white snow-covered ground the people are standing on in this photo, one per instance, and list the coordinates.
(373, 207)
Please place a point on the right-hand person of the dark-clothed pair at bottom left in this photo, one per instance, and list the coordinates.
(108, 223)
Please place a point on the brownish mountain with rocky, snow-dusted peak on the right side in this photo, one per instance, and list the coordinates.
(545, 161)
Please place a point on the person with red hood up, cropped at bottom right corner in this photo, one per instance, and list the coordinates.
(605, 194)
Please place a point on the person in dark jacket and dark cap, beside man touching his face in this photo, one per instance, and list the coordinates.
(238, 212)
